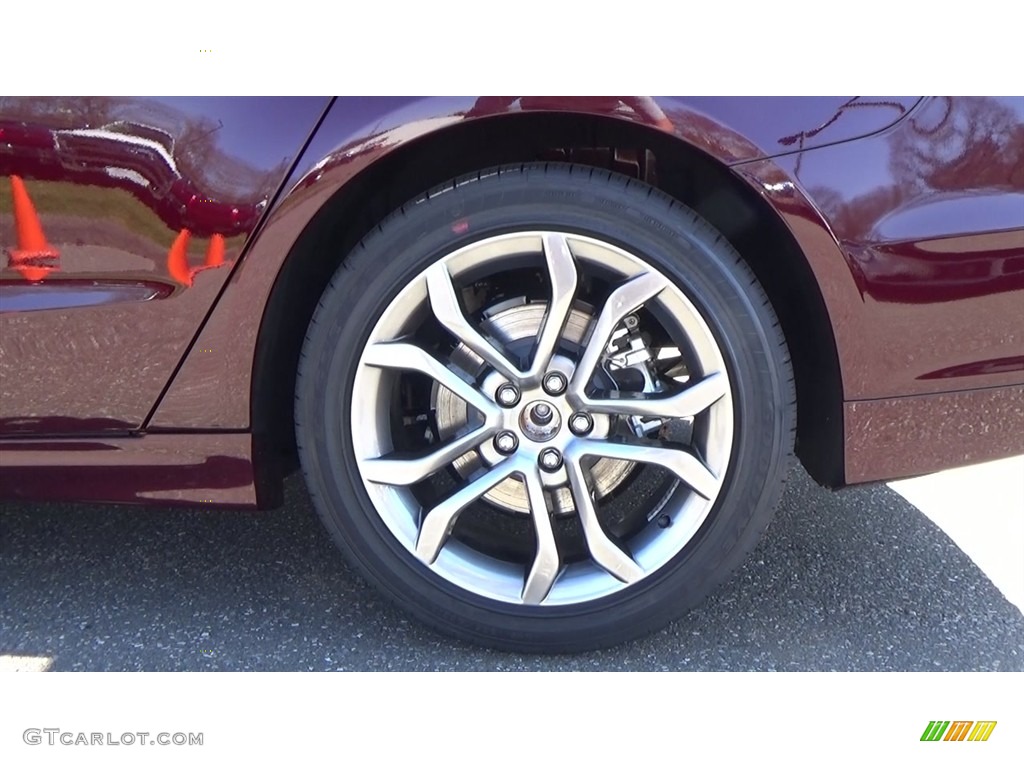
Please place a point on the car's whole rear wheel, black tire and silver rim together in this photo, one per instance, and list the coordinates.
(545, 408)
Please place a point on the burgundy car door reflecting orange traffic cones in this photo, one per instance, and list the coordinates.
(120, 220)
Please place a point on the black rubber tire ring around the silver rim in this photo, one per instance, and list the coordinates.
(589, 202)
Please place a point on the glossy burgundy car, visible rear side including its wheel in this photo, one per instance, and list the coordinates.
(545, 363)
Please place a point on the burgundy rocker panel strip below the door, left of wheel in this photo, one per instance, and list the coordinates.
(193, 470)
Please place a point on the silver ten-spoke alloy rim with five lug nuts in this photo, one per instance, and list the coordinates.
(582, 442)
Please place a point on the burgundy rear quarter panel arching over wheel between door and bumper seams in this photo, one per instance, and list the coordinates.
(359, 133)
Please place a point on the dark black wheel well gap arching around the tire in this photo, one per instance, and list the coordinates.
(675, 167)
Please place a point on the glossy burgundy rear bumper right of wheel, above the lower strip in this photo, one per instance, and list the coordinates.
(929, 217)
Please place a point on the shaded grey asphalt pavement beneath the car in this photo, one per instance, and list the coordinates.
(859, 580)
